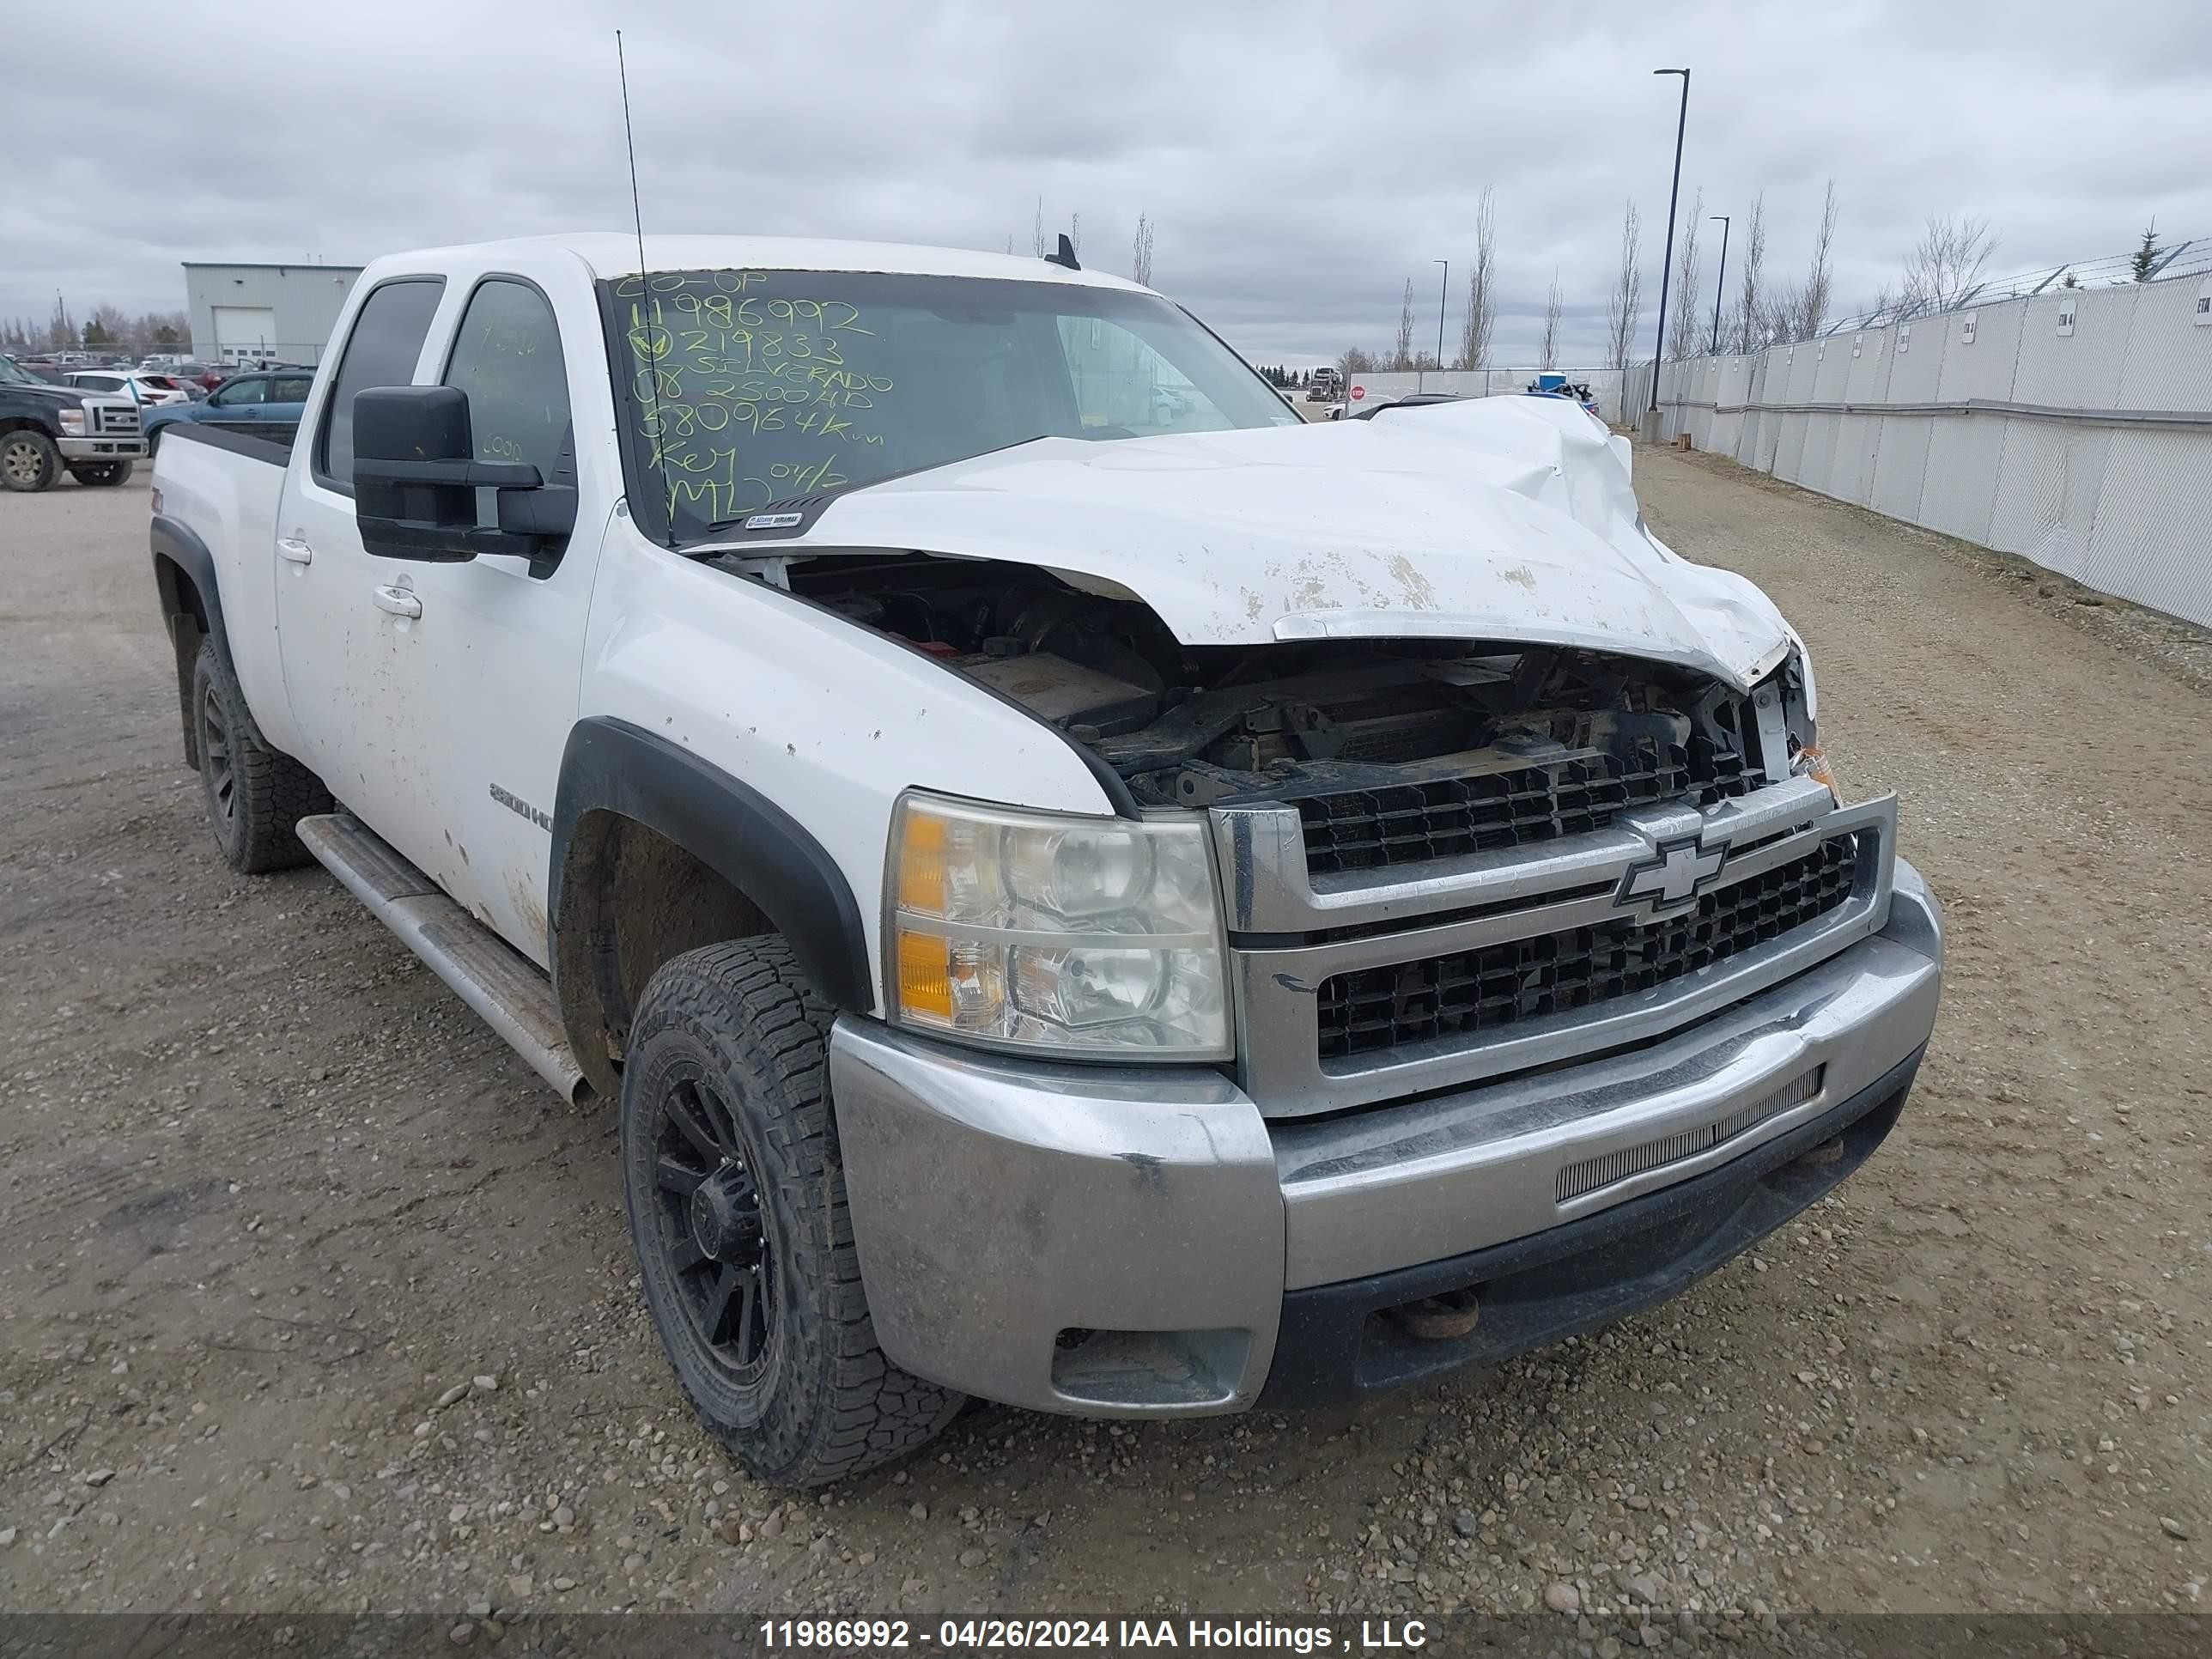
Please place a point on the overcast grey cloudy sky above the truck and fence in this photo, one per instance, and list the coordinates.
(1300, 160)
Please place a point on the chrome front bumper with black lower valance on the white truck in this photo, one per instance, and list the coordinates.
(1142, 1242)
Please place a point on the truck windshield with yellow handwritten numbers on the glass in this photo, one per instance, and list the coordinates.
(758, 386)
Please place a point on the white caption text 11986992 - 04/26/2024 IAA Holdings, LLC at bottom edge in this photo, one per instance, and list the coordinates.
(1098, 1636)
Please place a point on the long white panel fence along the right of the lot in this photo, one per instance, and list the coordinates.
(2072, 426)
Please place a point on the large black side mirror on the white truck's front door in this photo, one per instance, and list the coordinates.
(417, 479)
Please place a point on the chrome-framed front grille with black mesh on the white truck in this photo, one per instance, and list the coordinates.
(1315, 957)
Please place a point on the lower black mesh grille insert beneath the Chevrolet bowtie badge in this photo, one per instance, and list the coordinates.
(1483, 990)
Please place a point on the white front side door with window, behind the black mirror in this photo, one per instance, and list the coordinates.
(444, 691)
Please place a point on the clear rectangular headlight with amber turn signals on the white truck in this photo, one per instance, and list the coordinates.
(1056, 935)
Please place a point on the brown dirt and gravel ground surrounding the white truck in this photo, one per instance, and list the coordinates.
(271, 1196)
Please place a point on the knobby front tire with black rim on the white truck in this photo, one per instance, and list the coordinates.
(742, 1023)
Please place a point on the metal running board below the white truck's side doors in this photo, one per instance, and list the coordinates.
(483, 970)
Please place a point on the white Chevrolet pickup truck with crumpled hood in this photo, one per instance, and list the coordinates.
(1105, 901)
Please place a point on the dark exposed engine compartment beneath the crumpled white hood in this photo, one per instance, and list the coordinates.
(1311, 722)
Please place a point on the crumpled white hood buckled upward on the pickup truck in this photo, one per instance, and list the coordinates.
(1499, 519)
